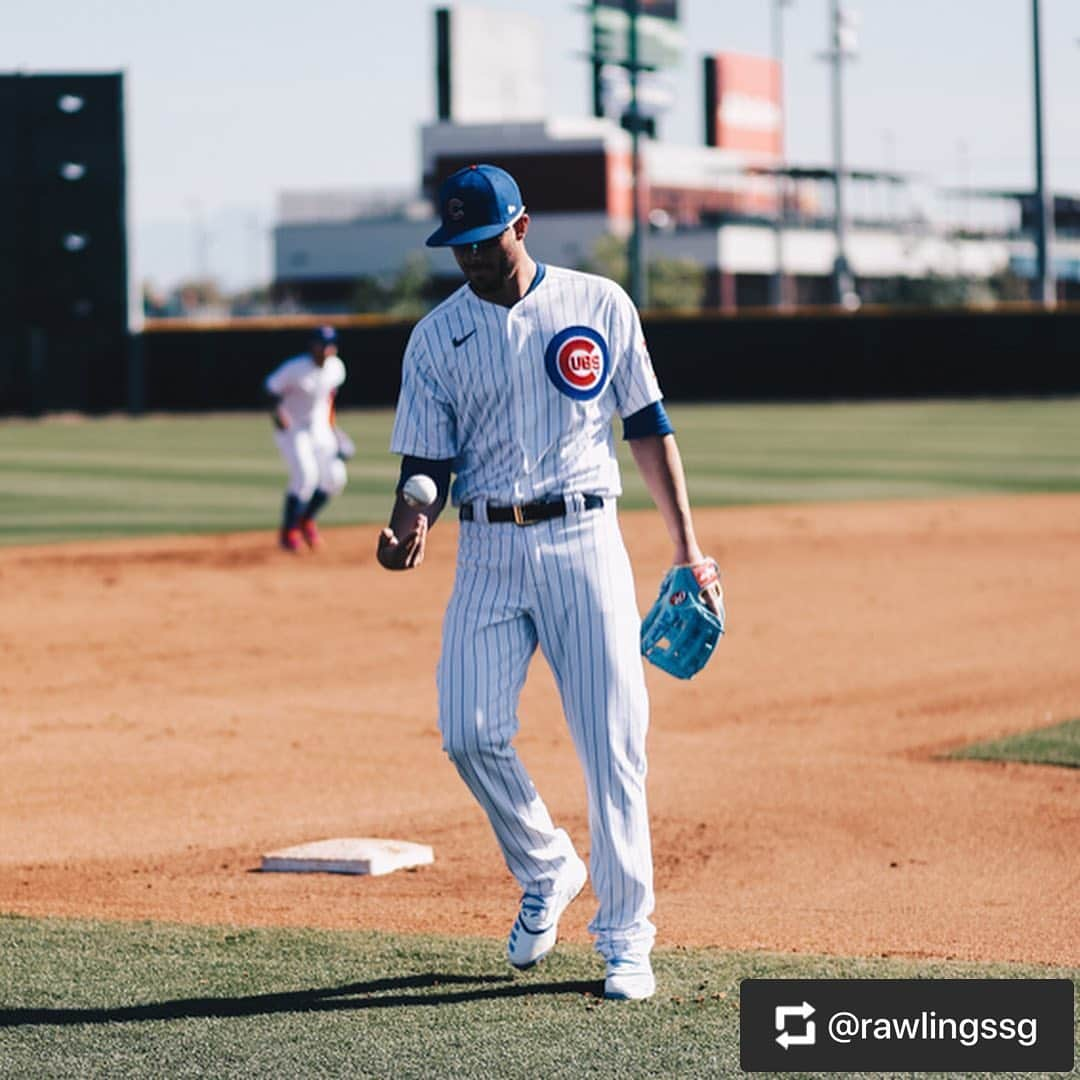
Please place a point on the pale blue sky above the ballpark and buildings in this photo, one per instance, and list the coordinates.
(233, 101)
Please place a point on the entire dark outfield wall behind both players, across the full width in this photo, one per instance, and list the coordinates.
(757, 357)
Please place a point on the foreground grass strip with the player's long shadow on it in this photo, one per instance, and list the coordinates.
(92, 1000)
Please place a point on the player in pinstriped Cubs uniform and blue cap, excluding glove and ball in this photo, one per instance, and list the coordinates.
(511, 386)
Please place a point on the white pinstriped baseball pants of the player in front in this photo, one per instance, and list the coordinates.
(568, 586)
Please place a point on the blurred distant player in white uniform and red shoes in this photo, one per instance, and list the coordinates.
(315, 450)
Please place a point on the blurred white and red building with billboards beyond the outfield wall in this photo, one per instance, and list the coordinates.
(714, 206)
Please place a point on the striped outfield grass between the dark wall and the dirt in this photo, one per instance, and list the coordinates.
(74, 479)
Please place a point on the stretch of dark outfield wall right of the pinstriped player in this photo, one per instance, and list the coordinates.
(923, 354)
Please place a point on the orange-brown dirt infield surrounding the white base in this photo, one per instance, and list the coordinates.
(172, 709)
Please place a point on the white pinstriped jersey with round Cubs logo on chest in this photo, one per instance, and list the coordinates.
(523, 399)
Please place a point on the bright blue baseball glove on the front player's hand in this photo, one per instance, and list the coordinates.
(681, 631)
